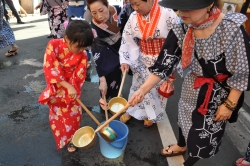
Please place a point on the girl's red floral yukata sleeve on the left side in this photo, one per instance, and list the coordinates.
(52, 69)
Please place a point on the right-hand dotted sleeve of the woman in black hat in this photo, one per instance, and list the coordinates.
(238, 61)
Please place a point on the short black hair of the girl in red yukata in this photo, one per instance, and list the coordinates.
(79, 31)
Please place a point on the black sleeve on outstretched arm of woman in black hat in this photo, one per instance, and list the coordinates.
(168, 58)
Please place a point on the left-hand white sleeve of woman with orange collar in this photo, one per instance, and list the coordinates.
(129, 50)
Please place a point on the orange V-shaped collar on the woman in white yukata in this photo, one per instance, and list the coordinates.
(147, 28)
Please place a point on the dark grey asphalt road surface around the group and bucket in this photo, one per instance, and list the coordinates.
(25, 135)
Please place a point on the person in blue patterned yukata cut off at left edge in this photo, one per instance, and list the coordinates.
(6, 34)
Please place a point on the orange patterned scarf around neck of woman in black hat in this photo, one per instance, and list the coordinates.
(188, 42)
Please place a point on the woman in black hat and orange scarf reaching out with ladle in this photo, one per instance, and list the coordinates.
(214, 50)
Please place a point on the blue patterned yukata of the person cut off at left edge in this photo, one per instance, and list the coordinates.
(6, 34)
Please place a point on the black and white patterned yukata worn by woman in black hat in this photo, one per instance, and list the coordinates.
(226, 51)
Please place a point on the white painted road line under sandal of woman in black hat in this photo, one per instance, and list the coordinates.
(167, 138)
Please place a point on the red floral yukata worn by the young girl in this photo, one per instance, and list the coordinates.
(60, 64)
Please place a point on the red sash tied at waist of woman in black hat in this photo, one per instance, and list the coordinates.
(199, 81)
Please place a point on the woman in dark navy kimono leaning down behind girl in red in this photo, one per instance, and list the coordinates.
(105, 52)
